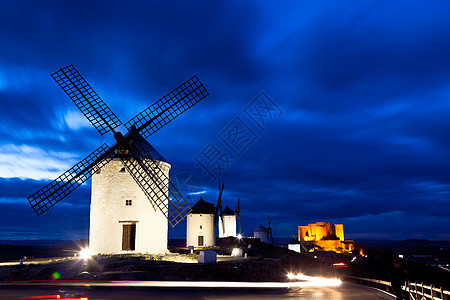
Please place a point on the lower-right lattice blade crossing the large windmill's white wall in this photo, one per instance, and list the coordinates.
(153, 182)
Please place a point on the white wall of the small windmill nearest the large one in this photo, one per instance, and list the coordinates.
(200, 225)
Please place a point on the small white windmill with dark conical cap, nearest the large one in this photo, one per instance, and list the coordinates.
(200, 225)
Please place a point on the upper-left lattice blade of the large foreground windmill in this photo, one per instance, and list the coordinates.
(86, 99)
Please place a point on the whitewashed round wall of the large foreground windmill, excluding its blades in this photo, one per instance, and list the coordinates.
(110, 190)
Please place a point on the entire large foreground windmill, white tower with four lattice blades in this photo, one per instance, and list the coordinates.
(114, 226)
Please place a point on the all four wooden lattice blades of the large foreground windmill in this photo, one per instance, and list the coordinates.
(146, 171)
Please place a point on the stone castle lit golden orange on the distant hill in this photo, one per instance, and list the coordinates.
(325, 236)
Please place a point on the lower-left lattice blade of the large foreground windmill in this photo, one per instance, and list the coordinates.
(66, 183)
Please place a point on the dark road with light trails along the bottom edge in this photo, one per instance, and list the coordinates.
(344, 291)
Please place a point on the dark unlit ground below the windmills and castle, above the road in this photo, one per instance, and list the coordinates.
(267, 263)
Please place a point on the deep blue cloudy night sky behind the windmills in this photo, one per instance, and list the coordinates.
(318, 110)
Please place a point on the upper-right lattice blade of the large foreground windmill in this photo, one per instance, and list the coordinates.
(168, 108)
